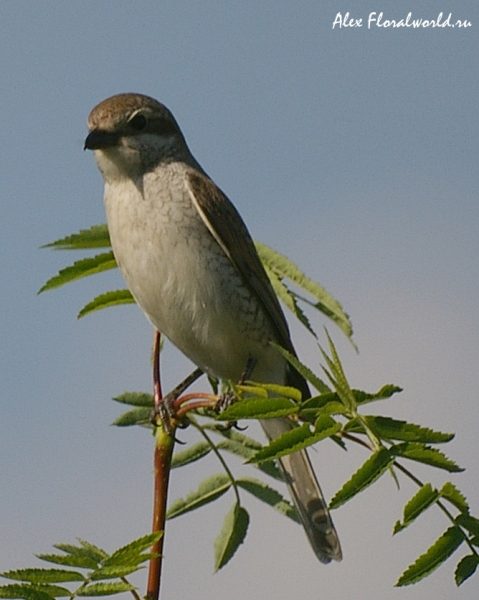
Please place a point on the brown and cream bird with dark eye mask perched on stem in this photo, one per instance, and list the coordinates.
(192, 268)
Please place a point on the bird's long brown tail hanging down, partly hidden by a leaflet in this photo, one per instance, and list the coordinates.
(307, 496)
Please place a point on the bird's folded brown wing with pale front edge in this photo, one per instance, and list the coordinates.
(227, 227)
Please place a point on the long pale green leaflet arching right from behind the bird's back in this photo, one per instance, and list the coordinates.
(326, 304)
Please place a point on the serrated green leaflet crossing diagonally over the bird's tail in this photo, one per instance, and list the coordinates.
(297, 439)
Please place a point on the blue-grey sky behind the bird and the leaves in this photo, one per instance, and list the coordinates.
(353, 152)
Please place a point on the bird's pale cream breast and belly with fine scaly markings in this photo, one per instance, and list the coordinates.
(183, 281)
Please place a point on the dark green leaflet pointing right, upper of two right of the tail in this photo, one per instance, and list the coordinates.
(393, 429)
